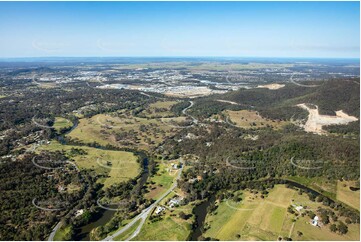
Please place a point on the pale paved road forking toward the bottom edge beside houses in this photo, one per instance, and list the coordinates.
(144, 214)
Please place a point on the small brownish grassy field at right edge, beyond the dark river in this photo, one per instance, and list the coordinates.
(346, 195)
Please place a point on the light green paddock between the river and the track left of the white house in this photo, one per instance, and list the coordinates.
(253, 218)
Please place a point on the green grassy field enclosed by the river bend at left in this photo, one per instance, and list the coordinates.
(115, 166)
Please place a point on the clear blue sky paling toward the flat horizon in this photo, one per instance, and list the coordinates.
(237, 29)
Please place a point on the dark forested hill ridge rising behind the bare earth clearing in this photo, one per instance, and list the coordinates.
(330, 96)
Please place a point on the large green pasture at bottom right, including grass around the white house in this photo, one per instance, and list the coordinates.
(255, 218)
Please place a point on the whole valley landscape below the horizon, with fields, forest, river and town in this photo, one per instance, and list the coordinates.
(123, 152)
